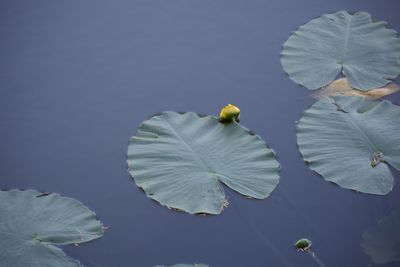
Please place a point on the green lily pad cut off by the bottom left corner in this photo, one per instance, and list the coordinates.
(33, 224)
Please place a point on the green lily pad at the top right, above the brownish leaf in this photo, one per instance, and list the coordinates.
(363, 49)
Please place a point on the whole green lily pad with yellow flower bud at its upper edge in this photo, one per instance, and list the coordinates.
(182, 160)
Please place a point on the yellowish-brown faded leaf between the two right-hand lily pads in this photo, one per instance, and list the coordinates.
(342, 87)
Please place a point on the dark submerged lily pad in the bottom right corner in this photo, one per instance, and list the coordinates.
(382, 242)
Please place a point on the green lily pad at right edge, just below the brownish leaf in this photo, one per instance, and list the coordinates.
(351, 141)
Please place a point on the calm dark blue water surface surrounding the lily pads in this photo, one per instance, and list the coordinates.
(77, 77)
